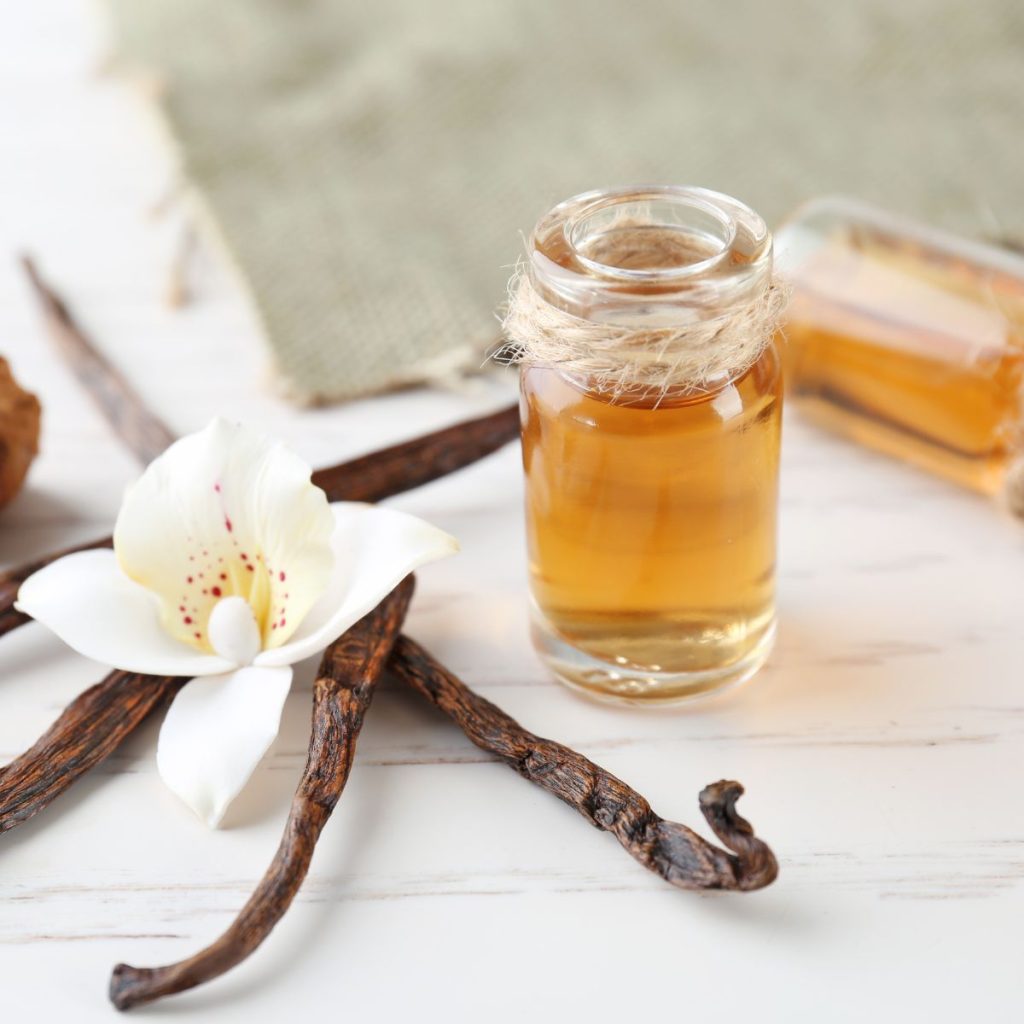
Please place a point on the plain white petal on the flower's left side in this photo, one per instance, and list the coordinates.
(94, 608)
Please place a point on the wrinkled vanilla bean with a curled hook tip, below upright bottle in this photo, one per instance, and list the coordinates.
(671, 850)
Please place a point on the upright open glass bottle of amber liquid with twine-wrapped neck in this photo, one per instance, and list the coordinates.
(652, 509)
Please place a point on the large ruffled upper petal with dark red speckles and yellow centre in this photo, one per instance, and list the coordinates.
(228, 513)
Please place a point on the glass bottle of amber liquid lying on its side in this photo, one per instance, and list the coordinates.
(907, 339)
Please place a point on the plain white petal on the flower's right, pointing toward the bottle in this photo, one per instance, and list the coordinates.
(374, 550)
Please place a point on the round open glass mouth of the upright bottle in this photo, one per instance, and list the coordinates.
(661, 235)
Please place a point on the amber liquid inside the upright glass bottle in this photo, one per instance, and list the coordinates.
(652, 529)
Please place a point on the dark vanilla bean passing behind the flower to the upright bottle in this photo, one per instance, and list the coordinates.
(369, 479)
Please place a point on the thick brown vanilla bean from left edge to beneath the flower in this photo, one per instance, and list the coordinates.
(91, 729)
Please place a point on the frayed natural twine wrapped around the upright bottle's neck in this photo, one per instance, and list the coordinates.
(627, 361)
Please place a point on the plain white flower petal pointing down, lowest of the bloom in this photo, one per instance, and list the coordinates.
(216, 734)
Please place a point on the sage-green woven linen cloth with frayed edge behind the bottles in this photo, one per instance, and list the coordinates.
(373, 167)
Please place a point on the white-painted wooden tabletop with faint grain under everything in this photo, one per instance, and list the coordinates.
(882, 747)
